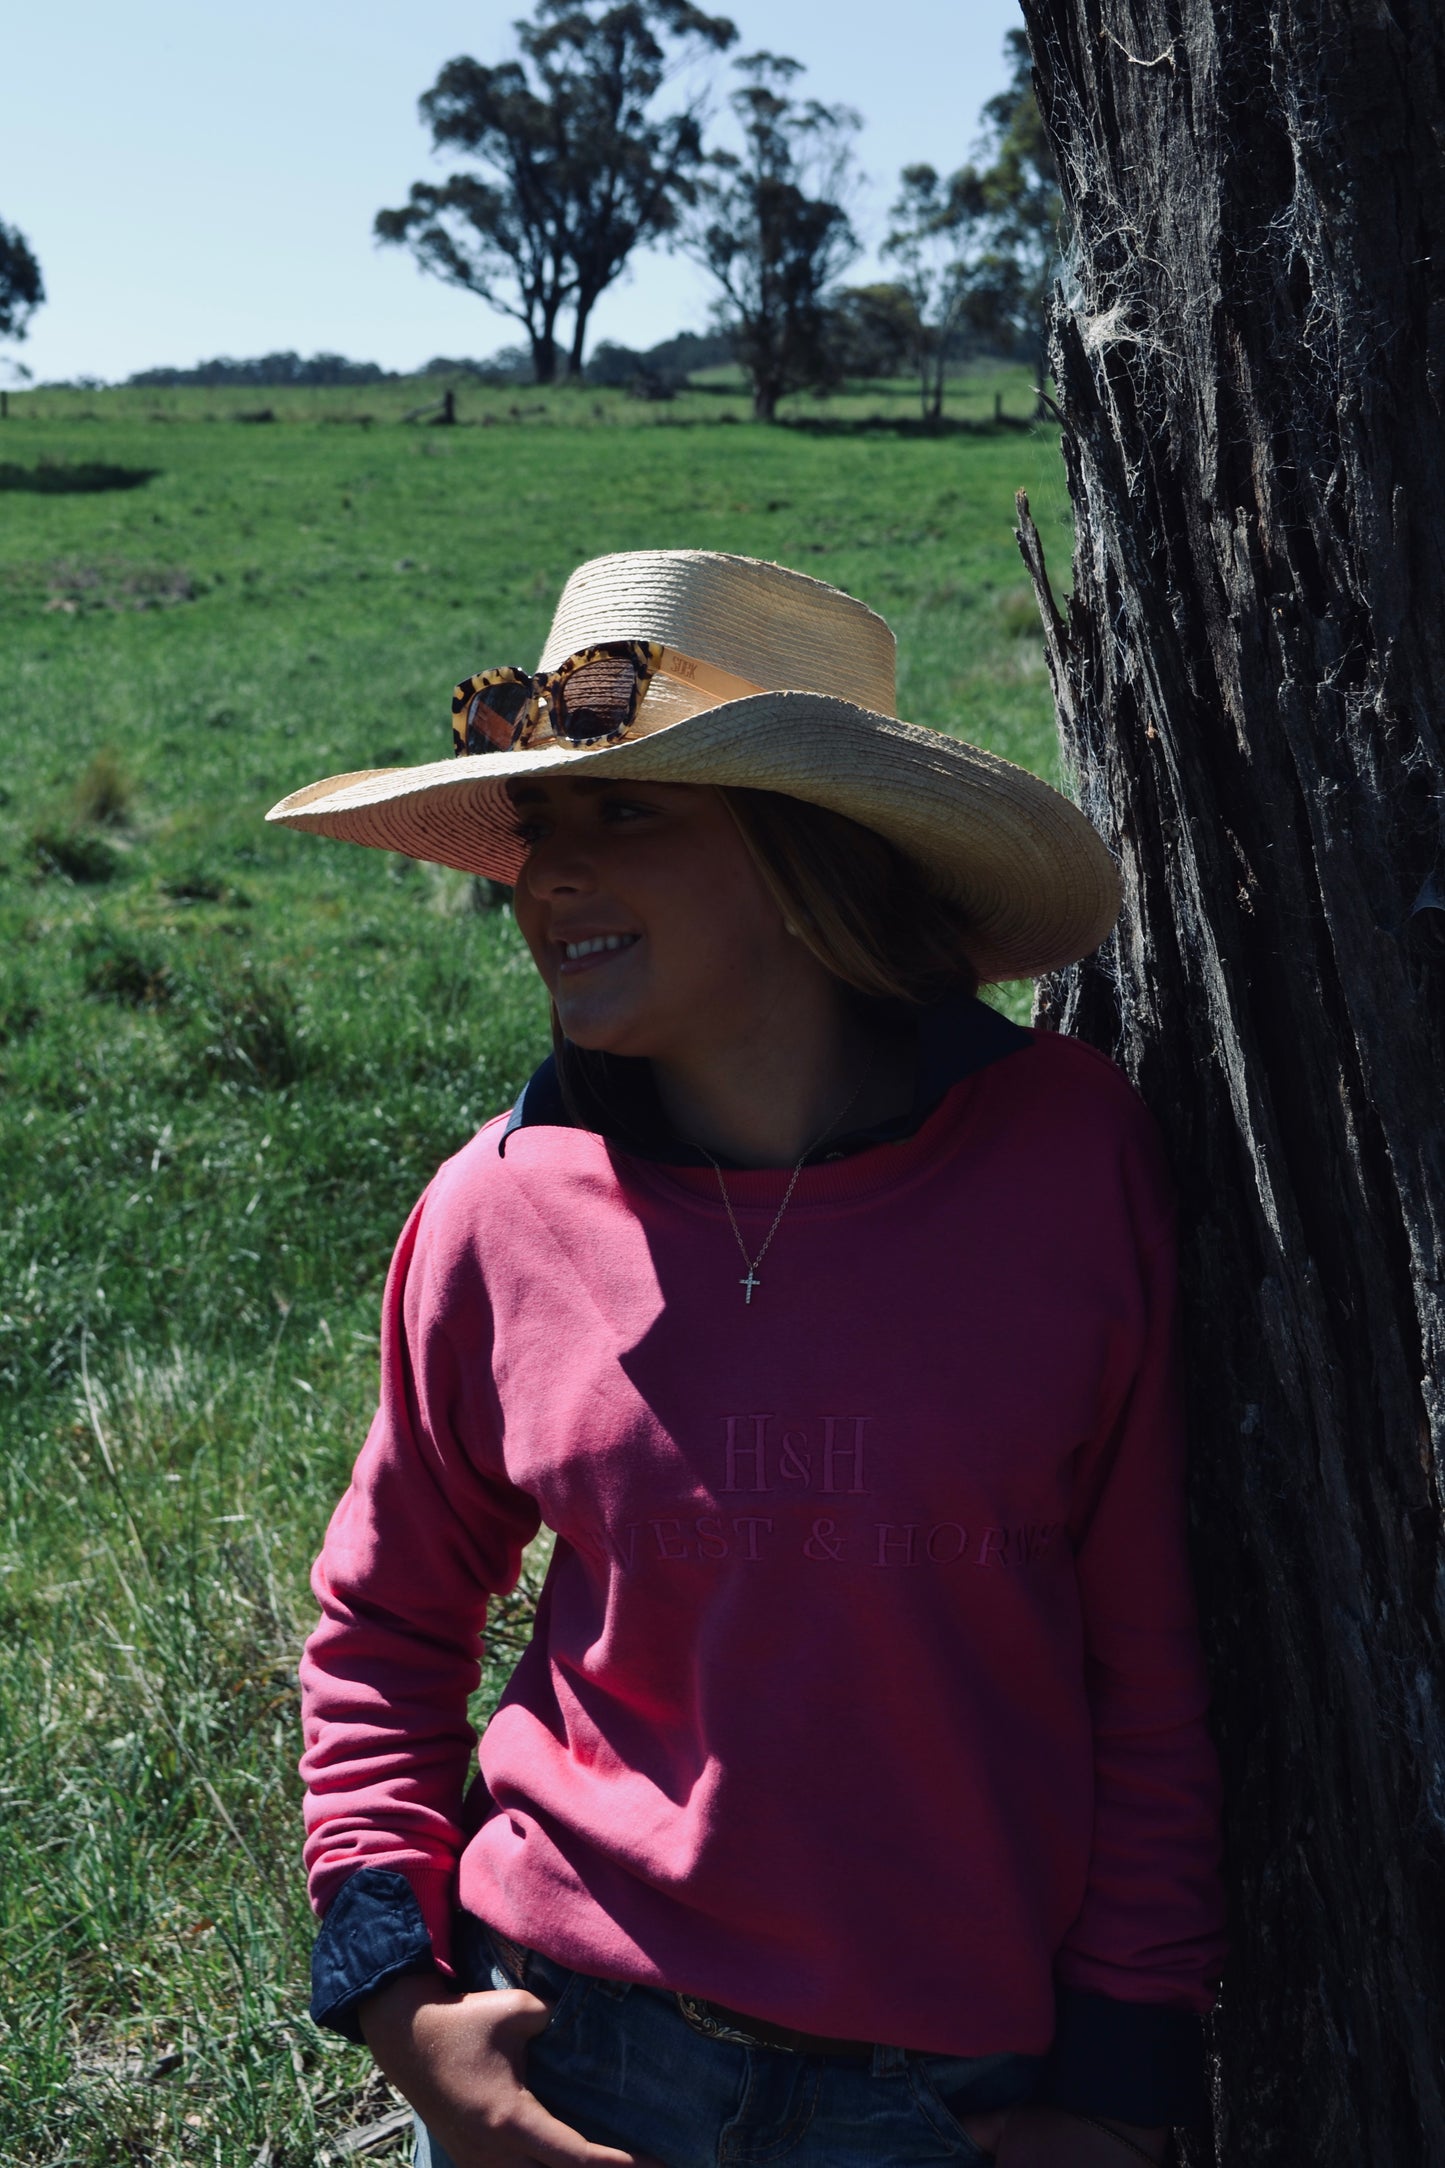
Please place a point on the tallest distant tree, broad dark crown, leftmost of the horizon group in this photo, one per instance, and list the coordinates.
(573, 166)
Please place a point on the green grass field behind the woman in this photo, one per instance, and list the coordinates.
(233, 1057)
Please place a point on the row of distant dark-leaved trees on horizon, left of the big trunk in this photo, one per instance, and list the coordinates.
(573, 168)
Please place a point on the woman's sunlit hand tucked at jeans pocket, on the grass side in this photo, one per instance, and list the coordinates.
(458, 2061)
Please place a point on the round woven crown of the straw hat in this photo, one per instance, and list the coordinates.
(759, 621)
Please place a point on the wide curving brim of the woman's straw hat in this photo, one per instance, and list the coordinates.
(1026, 866)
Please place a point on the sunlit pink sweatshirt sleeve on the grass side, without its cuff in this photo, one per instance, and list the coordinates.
(426, 1534)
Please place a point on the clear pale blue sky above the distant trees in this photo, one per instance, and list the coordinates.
(200, 179)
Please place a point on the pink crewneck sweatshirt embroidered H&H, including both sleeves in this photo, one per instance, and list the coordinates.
(865, 1690)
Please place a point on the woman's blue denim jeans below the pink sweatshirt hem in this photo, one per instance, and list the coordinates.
(625, 2067)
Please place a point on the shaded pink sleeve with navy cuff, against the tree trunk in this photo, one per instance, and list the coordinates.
(1141, 1961)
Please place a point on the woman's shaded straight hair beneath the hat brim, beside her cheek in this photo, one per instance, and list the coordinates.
(855, 901)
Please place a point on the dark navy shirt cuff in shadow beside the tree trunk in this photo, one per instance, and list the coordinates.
(1141, 2063)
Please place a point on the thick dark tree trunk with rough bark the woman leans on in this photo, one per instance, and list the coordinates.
(1251, 370)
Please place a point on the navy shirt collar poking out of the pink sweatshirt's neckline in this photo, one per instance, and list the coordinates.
(956, 1037)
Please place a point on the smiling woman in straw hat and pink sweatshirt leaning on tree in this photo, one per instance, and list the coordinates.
(852, 1801)
